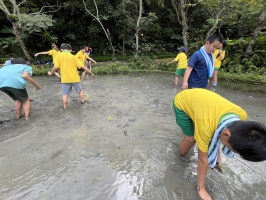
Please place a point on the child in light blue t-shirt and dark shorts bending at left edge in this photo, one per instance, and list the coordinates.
(13, 80)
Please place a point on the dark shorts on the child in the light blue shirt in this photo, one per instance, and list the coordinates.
(16, 94)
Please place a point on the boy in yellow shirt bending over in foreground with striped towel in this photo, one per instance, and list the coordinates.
(207, 119)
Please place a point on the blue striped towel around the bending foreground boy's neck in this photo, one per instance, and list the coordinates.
(215, 141)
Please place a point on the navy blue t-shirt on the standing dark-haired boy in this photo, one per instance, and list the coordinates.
(199, 75)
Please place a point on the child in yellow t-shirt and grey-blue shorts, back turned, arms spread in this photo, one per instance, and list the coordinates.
(68, 64)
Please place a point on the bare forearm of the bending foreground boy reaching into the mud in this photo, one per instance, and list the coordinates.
(202, 171)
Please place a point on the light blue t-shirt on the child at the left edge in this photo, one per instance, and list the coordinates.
(11, 76)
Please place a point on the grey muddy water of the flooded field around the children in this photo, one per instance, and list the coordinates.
(120, 145)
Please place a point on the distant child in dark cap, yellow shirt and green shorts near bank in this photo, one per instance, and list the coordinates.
(182, 63)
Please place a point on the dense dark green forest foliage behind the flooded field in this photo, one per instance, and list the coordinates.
(161, 29)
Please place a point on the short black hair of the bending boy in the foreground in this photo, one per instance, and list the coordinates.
(248, 138)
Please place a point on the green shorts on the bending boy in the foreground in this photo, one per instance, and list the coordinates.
(184, 121)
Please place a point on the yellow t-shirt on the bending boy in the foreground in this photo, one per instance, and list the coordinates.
(205, 108)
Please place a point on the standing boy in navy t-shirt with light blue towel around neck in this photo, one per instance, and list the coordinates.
(201, 64)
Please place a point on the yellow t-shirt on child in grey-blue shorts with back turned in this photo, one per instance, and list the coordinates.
(68, 64)
